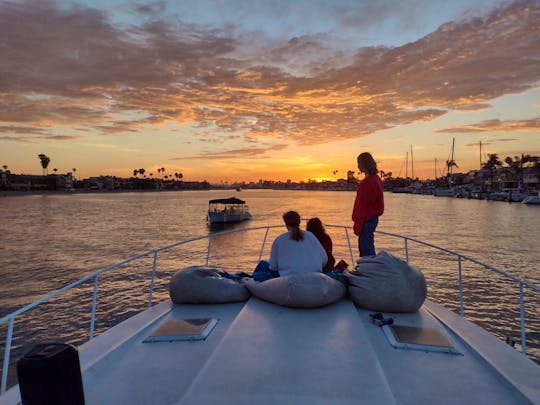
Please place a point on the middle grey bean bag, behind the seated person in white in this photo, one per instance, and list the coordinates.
(303, 290)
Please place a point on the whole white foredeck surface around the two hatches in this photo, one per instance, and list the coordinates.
(266, 354)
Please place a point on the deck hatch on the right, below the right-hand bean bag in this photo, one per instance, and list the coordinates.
(415, 338)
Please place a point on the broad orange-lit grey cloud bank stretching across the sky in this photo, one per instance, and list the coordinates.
(75, 67)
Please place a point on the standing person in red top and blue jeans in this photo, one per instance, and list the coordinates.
(368, 205)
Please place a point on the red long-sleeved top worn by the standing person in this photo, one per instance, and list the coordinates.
(369, 201)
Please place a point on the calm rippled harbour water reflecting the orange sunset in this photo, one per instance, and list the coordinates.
(51, 240)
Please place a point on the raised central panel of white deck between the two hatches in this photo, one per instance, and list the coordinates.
(280, 355)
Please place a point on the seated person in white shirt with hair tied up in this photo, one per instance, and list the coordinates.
(295, 251)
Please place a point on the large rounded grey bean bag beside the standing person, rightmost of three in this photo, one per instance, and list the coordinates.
(385, 283)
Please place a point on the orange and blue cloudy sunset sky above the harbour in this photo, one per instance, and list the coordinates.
(247, 90)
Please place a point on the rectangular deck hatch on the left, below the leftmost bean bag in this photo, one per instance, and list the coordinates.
(173, 330)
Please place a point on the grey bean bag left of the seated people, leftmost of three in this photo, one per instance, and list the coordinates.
(204, 285)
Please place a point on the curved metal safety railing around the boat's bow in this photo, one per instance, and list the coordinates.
(10, 318)
